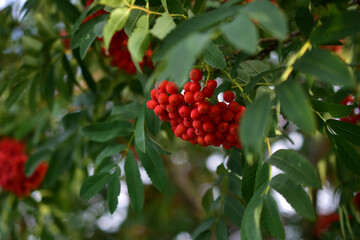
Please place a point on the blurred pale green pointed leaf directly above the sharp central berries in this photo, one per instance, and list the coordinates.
(241, 33)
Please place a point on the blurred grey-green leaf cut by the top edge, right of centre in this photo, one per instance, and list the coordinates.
(269, 17)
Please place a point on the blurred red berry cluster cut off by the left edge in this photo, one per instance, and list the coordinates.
(12, 173)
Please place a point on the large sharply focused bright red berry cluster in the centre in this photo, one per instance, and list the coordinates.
(193, 117)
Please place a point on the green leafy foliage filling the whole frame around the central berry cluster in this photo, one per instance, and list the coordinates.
(74, 80)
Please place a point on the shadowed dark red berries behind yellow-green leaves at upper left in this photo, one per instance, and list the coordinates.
(118, 50)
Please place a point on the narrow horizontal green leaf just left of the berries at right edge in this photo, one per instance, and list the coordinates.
(336, 110)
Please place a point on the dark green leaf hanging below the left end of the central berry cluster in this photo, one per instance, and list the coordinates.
(154, 167)
